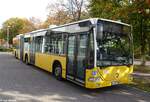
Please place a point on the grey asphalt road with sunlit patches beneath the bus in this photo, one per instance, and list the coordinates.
(23, 83)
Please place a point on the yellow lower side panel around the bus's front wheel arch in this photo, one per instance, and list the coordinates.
(45, 61)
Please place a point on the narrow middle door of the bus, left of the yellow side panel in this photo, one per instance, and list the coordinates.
(32, 51)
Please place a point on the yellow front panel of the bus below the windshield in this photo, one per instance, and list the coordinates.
(119, 74)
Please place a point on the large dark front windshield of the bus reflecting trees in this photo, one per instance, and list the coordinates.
(114, 44)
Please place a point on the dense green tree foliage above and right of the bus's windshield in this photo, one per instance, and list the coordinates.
(129, 11)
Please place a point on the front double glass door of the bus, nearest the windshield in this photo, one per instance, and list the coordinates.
(77, 49)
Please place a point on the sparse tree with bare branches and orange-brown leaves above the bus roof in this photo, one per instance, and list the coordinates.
(67, 10)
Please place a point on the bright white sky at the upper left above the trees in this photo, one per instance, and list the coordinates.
(23, 9)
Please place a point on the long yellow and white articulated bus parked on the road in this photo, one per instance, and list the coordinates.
(93, 53)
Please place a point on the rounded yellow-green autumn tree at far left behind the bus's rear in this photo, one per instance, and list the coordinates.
(16, 26)
